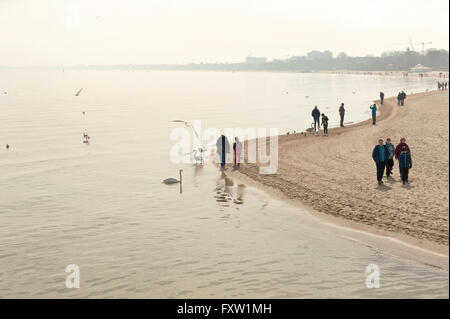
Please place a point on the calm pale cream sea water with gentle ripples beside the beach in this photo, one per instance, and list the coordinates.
(103, 207)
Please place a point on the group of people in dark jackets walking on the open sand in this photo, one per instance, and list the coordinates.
(384, 154)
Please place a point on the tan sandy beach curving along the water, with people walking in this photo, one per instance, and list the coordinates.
(335, 176)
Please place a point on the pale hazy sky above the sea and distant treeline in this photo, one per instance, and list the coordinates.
(67, 32)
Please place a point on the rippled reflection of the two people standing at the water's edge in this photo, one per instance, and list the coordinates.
(227, 192)
